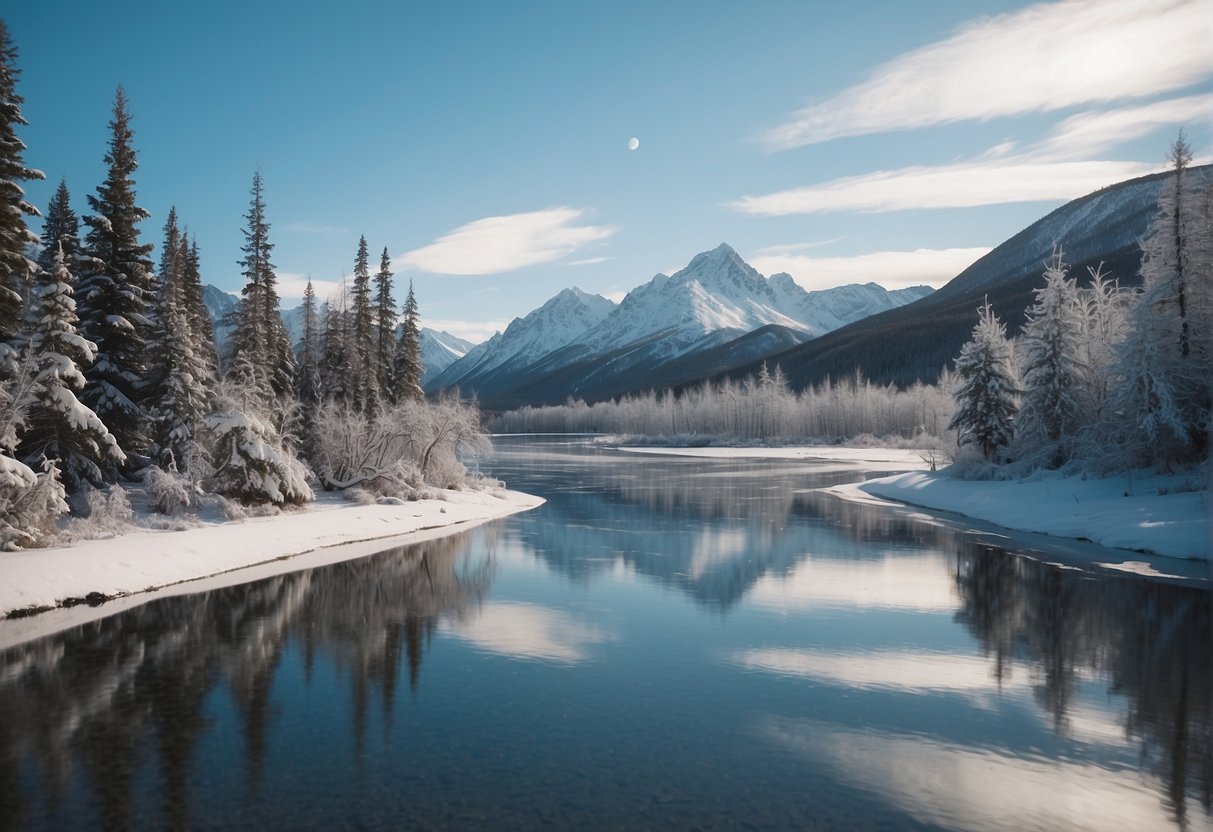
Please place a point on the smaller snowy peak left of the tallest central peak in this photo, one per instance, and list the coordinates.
(562, 321)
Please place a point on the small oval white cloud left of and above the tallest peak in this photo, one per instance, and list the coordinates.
(504, 244)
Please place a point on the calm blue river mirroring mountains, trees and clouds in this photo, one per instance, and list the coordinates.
(665, 643)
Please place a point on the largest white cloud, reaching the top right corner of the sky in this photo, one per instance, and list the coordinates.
(1035, 60)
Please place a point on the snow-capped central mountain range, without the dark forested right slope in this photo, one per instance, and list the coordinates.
(584, 345)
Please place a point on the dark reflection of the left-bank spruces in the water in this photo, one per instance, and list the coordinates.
(94, 706)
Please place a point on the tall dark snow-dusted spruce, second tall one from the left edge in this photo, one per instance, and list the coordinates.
(113, 297)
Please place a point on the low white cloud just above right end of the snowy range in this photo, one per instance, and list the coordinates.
(892, 270)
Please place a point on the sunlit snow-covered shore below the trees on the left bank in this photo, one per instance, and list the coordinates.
(146, 561)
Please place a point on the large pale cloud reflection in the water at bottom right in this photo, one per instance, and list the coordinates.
(967, 789)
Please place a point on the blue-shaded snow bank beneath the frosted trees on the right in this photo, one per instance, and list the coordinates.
(1151, 514)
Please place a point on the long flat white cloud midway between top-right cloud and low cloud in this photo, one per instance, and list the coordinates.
(963, 185)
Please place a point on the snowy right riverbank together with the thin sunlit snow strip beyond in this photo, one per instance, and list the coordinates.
(1159, 516)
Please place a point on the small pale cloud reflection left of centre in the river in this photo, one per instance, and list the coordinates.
(529, 632)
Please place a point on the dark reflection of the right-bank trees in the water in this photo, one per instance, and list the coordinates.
(1152, 640)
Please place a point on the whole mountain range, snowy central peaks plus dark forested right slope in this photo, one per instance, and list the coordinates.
(720, 318)
